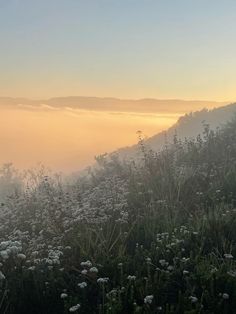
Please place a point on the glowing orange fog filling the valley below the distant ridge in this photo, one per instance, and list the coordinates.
(67, 139)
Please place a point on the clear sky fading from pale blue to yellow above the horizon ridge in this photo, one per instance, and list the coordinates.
(122, 48)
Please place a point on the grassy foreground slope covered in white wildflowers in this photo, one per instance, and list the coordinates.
(156, 236)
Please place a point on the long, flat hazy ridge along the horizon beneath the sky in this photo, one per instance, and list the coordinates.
(113, 104)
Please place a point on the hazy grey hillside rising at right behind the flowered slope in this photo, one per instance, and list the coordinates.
(188, 126)
